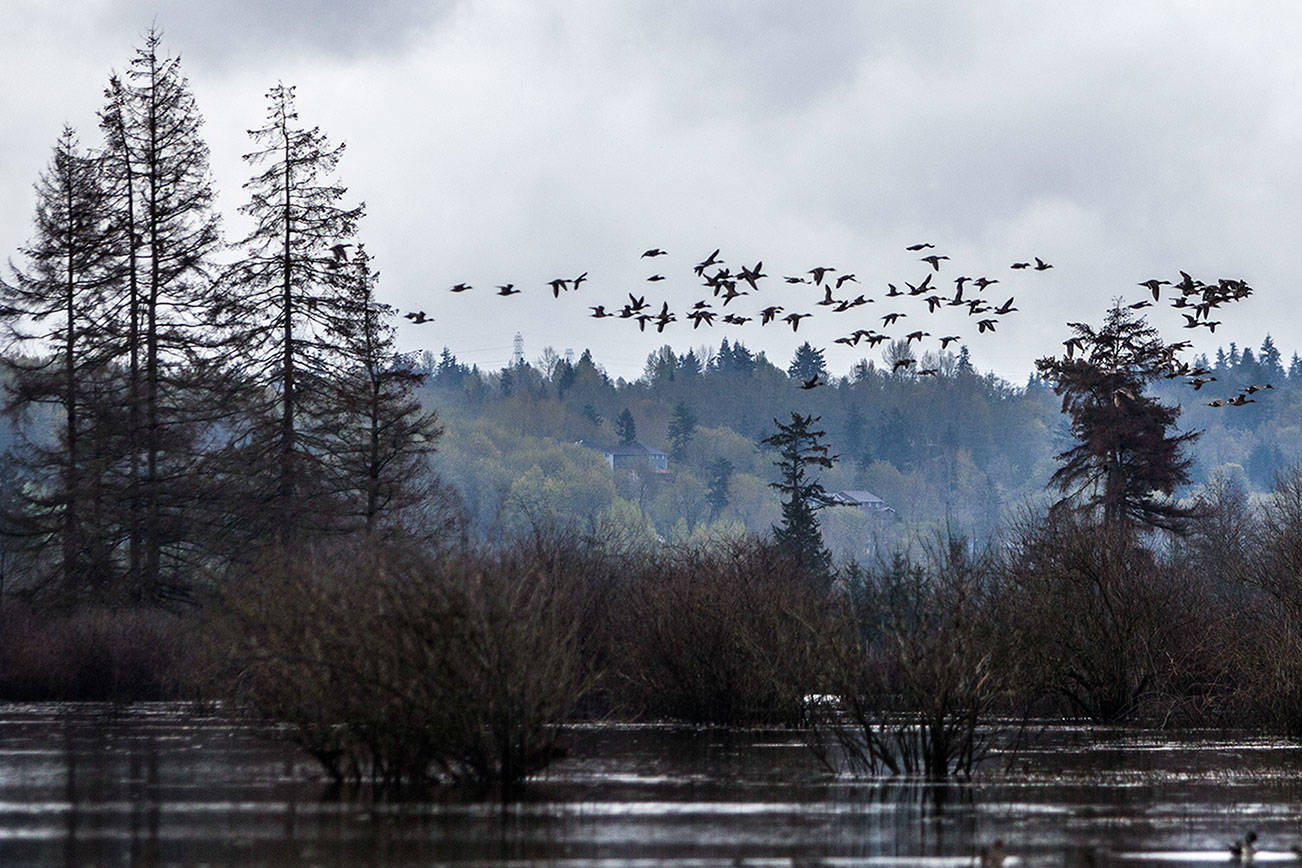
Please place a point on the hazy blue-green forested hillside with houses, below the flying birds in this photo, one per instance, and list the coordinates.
(965, 448)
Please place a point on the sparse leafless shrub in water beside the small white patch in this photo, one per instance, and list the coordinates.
(919, 666)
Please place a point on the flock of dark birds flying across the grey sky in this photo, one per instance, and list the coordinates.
(838, 292)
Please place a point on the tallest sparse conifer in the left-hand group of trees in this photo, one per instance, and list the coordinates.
(158, 169)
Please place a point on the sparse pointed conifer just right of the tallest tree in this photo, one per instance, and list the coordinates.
(288, 304)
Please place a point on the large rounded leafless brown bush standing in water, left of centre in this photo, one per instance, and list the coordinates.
(407, 668)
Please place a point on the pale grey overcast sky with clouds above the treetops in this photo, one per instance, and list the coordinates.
(516, 142)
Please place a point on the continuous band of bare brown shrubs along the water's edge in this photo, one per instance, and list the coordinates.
(409, 667)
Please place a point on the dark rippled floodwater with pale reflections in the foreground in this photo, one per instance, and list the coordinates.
(158, 784)
